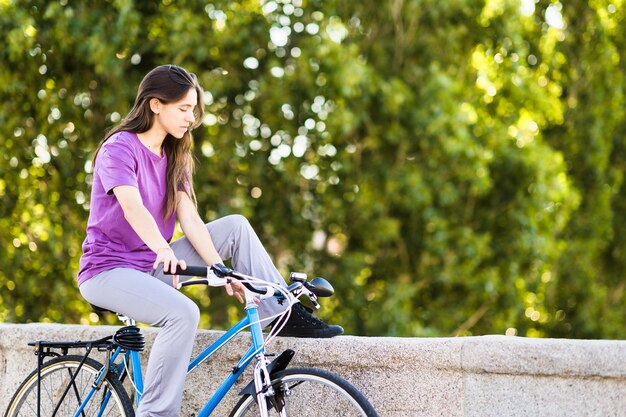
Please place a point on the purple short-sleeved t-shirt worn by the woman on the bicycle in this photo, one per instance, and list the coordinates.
(111, 242)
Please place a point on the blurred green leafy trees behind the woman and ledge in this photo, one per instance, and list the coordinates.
(455, 167)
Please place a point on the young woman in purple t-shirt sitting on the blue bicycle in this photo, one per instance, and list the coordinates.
(141, 186)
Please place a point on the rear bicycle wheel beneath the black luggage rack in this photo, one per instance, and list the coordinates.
(55, 377)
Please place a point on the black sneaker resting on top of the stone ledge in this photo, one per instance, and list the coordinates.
(302, 323)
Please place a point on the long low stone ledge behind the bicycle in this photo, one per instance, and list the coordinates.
(403, 377)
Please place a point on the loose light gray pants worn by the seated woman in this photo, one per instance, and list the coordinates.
(151, 299)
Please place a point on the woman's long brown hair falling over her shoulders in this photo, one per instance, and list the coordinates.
(168, 83)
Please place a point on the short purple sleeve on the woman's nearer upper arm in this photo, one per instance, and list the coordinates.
(116, 165)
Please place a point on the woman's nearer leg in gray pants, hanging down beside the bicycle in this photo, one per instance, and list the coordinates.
(146, 299)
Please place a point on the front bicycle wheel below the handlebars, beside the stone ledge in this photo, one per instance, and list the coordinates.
(312, 393)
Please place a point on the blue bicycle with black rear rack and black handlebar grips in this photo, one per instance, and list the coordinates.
(67, 385)
